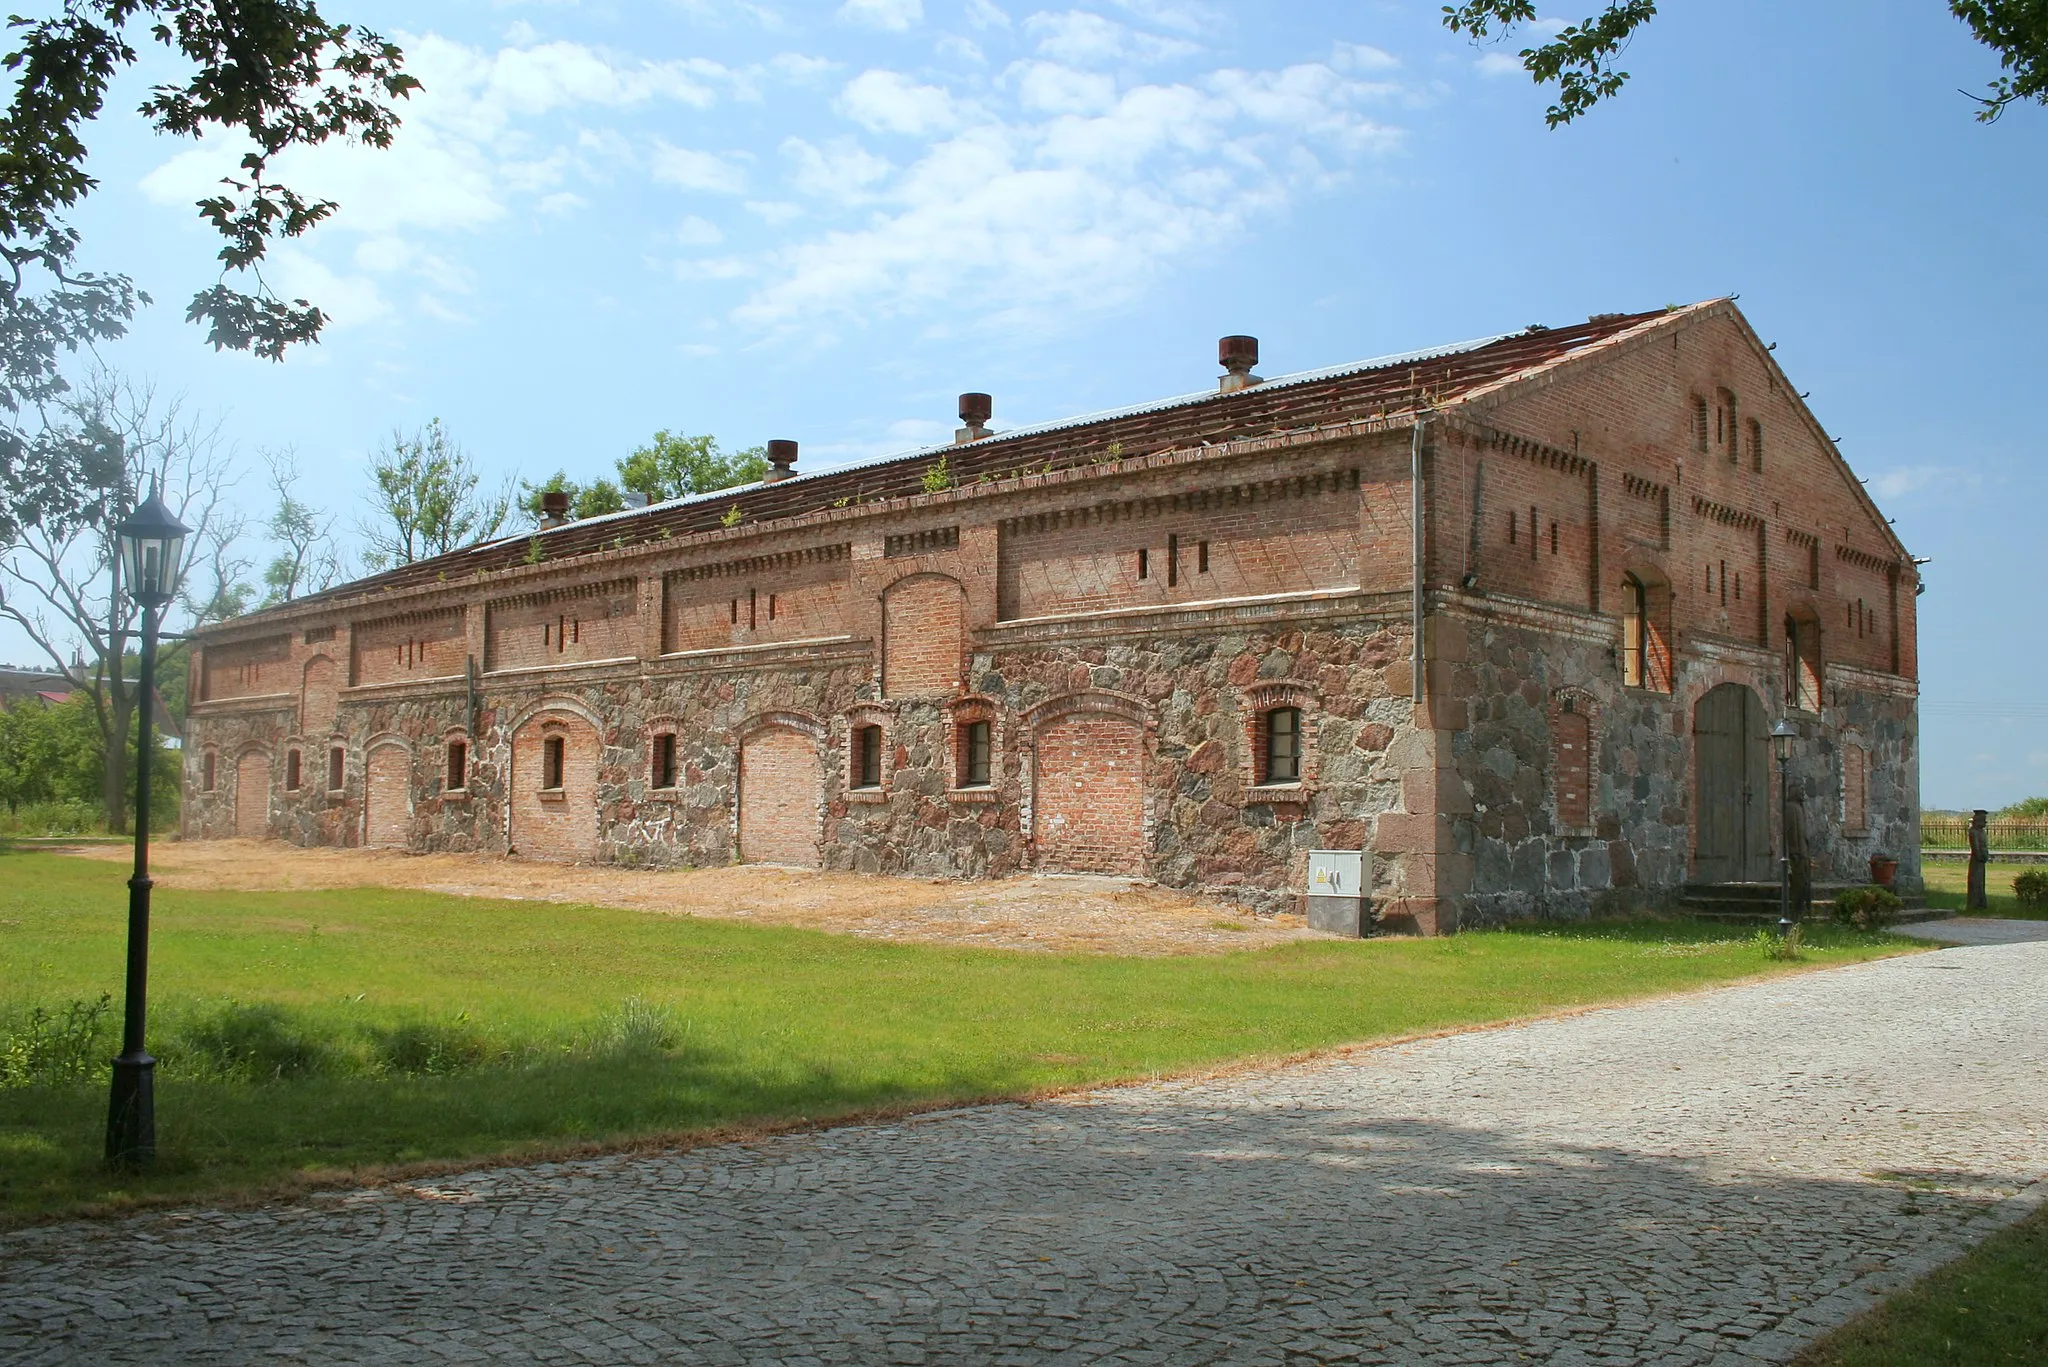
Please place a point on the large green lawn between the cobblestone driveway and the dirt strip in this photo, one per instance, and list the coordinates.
(314, 1036)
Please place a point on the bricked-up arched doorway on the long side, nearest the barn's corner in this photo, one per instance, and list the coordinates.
(1089, 794)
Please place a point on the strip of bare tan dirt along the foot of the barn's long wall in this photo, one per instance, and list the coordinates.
(1101, 915)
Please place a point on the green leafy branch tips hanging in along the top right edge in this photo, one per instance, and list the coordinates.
(1580, 60)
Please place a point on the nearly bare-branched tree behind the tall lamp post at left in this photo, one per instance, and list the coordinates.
(58, 577)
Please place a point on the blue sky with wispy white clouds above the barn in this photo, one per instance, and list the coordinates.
(826, 220)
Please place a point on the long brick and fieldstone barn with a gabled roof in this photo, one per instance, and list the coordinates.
(1512, 618)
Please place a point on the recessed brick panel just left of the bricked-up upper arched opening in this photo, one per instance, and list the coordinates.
(757, 602)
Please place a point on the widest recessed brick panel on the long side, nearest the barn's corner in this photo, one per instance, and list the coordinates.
(1238, 540)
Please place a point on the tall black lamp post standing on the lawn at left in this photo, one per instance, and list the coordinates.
(153, 544)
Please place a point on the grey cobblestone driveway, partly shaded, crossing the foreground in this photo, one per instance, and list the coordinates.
(1709, 1179)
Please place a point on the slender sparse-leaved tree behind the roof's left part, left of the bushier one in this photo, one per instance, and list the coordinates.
(429, 501)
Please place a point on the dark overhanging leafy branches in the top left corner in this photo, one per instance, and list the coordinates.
(271, 73)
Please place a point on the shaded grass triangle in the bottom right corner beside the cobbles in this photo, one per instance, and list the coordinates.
(1981, 1311)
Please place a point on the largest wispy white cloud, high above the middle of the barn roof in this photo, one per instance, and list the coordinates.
(1070, 200)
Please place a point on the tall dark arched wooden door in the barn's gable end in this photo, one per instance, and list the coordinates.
(1732, 761)
